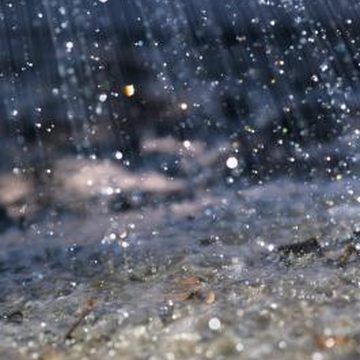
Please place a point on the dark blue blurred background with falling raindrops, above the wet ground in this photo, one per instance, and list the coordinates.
(207, 93)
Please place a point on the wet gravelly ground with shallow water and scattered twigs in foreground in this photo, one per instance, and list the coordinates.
(195, 277)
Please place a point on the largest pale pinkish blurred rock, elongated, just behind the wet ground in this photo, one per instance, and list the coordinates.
(78, 181)
